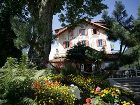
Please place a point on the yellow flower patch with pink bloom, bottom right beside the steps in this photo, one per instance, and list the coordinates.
(110, 95)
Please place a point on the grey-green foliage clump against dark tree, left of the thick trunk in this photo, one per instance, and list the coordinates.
(23, 32)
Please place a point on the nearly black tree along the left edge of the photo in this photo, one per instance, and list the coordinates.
(7, 35)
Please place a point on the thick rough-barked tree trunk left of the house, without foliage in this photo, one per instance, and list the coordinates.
(43, 12)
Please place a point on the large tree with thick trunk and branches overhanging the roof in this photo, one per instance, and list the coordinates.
(42, 12)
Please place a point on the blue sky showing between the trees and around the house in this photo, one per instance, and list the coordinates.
(131, 7)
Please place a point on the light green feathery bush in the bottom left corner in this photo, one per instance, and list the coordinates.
(16, 81)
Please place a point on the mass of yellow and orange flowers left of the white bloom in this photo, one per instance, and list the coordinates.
(52, 93)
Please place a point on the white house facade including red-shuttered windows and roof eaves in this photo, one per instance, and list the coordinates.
(92, 34)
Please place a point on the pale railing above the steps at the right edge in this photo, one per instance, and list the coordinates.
(126, 74)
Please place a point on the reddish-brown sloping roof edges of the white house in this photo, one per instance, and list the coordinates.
(97, 24)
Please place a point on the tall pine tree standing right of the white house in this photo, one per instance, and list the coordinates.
(121, 26)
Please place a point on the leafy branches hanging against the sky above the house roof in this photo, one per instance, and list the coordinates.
(80, 9)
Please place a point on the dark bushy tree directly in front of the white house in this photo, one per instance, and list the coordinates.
(81, 54)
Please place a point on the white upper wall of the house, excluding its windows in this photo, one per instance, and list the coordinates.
(91, 39)
